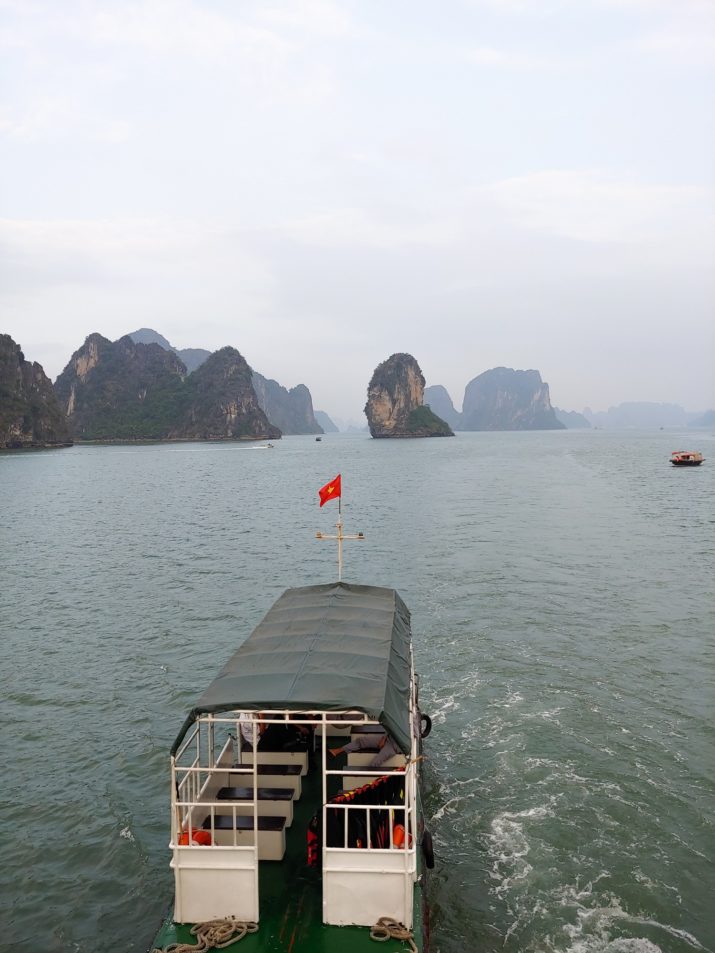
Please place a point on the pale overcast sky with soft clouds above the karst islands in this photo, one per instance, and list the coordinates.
(528, 183)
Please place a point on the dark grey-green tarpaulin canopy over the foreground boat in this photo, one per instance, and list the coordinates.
(322, 648)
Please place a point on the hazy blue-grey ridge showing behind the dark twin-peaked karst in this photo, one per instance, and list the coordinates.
(291, 411)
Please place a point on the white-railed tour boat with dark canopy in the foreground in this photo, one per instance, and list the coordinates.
(273, 838)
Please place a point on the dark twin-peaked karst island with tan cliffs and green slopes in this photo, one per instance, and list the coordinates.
(129, 391)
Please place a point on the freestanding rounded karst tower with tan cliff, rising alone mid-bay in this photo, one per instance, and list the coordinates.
(395, 405)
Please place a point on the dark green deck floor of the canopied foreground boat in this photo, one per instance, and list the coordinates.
(291, 895)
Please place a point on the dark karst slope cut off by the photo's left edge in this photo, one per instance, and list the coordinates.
(30, 413)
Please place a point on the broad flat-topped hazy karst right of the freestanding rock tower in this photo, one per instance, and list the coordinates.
(505, 399)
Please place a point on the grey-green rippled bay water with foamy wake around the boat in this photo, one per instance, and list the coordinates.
(563, 614)
